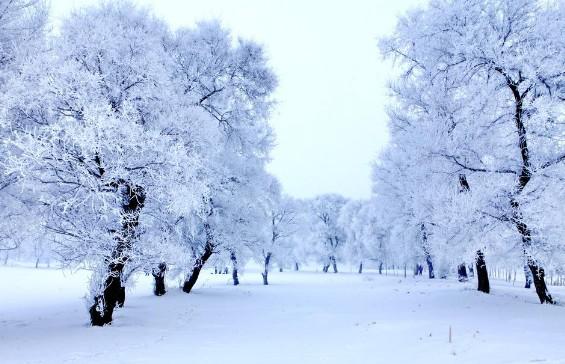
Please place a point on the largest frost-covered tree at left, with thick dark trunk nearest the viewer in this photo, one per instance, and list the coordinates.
(101, 139)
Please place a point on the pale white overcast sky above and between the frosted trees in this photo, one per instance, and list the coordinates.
(330, 121)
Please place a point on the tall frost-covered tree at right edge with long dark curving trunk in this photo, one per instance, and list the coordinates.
(480, 100)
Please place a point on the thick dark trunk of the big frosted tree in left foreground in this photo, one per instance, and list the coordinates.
(114, 293)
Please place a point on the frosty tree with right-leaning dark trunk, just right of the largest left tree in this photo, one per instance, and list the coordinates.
(232, 86)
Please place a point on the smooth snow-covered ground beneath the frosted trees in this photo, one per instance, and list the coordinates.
(303, 318)
